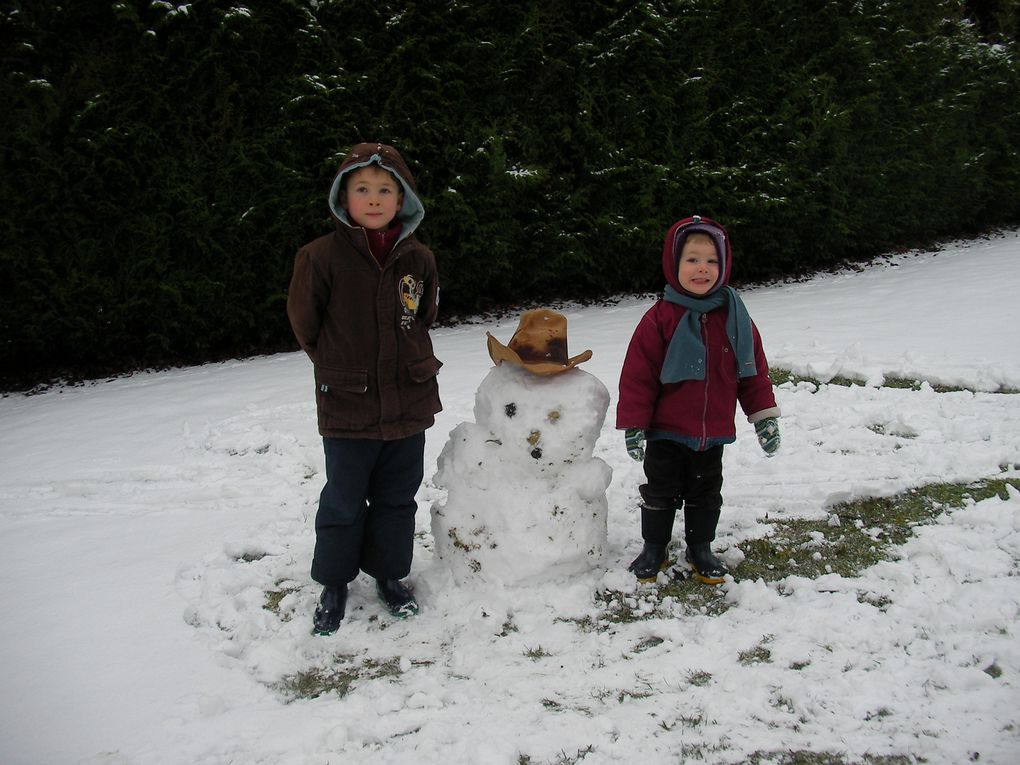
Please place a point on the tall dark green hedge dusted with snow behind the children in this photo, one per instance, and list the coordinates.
(162, 163)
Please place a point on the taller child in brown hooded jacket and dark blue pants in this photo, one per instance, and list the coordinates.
(362, 301)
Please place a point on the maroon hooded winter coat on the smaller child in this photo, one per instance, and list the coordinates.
(700, 412)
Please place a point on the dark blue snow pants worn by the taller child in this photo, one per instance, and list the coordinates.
(366, 519)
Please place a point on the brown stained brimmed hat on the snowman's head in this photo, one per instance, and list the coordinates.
(540, 345)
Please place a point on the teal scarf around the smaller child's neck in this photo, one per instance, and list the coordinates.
(686, 355)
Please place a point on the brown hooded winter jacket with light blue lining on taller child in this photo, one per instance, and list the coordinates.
(366, 327)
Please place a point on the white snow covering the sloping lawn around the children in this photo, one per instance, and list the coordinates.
(143, 521)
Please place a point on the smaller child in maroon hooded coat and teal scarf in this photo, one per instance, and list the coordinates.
(694, 355)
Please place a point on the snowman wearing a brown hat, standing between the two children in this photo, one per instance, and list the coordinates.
(526, 497)
